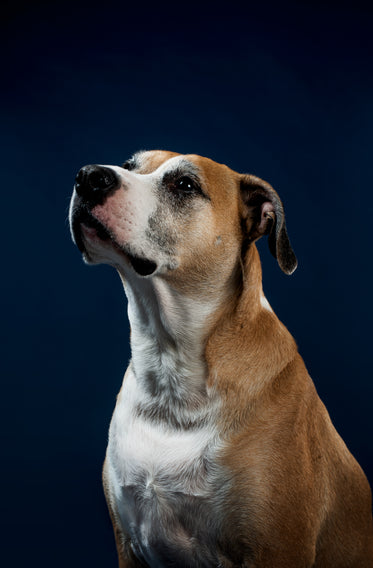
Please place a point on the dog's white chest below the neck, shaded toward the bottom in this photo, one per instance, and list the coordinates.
(166, 487)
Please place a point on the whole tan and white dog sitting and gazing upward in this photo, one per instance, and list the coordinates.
(220, 452)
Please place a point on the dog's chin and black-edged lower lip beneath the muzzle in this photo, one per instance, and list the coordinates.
(98, 246)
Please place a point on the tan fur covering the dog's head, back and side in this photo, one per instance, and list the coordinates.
(298, 498)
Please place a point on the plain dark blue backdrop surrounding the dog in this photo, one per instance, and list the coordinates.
(280, 90)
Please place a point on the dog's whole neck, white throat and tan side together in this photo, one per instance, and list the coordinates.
(183, 349)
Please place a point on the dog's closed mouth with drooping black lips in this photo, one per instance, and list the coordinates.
(84, 225)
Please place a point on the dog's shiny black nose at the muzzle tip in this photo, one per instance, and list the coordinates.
(94, 182)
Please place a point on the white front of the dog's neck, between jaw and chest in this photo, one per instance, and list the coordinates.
(168, 333)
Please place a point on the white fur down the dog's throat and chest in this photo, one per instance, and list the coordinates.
(153, 460)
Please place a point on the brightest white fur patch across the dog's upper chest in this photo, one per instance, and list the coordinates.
(136, 444)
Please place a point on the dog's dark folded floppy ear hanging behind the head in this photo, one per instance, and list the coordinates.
(264, 214)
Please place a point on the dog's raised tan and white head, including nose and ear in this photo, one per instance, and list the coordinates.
(182, 216)
